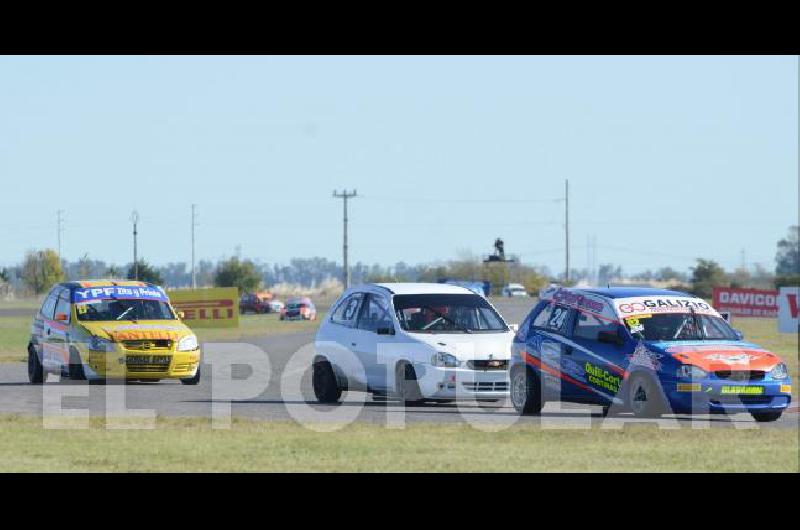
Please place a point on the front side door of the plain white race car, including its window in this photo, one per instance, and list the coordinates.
(372, 348)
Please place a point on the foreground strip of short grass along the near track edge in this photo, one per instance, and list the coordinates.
(191, 445)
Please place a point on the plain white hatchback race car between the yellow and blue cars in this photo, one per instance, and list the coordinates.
(413, 341)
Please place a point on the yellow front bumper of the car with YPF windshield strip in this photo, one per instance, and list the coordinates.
(129, 364)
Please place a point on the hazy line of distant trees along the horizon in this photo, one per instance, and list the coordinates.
(42, 268)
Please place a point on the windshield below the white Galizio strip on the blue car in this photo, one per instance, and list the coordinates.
(679, 326)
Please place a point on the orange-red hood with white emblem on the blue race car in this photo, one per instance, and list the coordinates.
(713, 356)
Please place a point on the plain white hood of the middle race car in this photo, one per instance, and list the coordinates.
(469, 346)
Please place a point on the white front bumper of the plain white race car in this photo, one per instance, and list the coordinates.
(461, 383)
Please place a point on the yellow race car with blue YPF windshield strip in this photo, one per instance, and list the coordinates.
(109, 329)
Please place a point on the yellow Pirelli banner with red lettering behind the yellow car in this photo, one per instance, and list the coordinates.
(207, 308)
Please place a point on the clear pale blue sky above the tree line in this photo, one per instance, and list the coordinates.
(669, 158)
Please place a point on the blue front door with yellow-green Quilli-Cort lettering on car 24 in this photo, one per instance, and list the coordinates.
(601, 359)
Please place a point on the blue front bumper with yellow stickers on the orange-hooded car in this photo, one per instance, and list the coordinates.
(724, 396)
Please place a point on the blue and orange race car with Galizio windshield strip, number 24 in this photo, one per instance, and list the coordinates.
(647, 351)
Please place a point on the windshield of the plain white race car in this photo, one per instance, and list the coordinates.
(447, 313)
